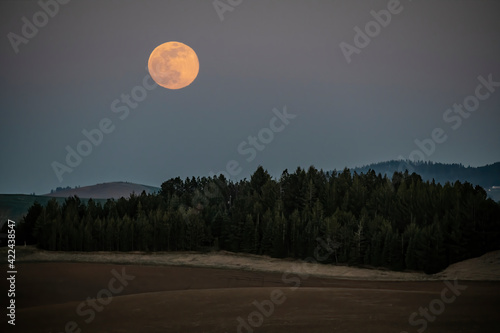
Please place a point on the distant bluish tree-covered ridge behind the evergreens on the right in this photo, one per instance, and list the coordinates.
(488, 176)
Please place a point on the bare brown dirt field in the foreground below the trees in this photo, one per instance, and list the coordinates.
(194, 299)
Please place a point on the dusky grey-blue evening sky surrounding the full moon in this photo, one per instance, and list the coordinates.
(282, 84)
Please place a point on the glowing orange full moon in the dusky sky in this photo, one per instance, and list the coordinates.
(173, 65)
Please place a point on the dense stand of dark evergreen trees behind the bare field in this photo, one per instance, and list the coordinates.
(398, 222)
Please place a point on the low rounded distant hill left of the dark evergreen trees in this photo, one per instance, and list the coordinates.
(112, 190)
